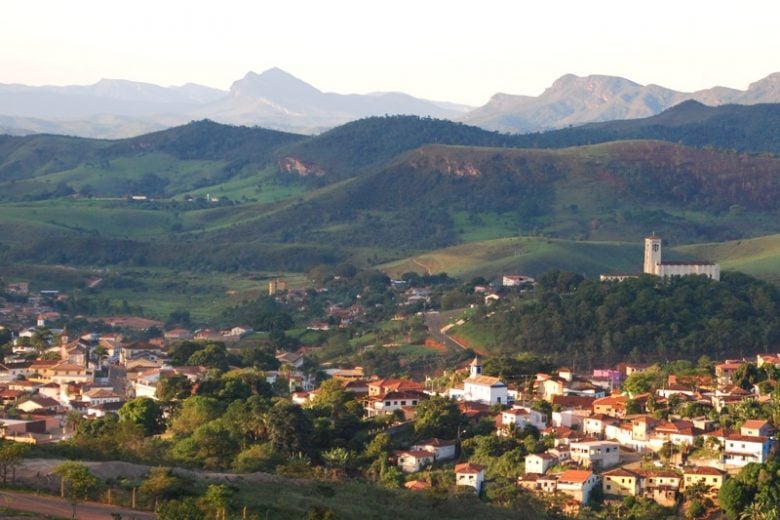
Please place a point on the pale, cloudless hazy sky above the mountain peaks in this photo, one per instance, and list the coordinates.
(447, 50)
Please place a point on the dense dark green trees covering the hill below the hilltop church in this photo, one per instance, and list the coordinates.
(590, 324)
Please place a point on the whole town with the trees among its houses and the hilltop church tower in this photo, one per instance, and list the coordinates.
(610, 439)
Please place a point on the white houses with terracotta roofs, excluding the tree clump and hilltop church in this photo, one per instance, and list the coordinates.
(599, 436)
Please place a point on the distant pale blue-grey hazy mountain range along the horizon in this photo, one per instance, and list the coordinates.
(277, 100)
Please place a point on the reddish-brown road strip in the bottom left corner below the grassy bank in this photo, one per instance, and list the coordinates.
(47, 505)
